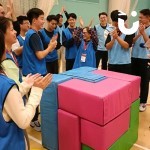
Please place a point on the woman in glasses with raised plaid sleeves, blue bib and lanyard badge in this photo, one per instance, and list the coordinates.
(86, 41)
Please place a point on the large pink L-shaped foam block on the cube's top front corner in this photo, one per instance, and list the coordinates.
(98, 102)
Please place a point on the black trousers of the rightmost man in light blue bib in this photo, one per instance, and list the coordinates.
(140, 68)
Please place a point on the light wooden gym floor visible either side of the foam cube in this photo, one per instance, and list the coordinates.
(143, 142)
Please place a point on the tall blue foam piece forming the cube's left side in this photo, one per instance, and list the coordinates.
(49, 113)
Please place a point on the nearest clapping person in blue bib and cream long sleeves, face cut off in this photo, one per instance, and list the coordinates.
(14, 116)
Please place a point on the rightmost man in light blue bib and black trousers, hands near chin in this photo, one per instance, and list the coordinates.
(140, 58)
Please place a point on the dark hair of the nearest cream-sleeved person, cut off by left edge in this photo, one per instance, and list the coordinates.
(2, 48)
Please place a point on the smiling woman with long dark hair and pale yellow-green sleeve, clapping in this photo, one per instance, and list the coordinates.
(10, 64)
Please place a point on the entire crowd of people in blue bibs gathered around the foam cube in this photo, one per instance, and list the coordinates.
(36, 54)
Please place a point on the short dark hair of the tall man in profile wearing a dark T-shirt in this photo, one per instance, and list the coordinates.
(34, 13)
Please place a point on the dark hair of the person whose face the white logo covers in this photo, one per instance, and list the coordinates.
(115, 15)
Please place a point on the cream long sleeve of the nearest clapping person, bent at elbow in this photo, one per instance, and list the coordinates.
(14, 106)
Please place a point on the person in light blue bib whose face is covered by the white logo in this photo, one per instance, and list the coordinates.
(118, 46)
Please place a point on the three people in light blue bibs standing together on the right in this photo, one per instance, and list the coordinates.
(126, 53)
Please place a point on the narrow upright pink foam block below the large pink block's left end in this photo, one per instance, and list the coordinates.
(69, 131)
